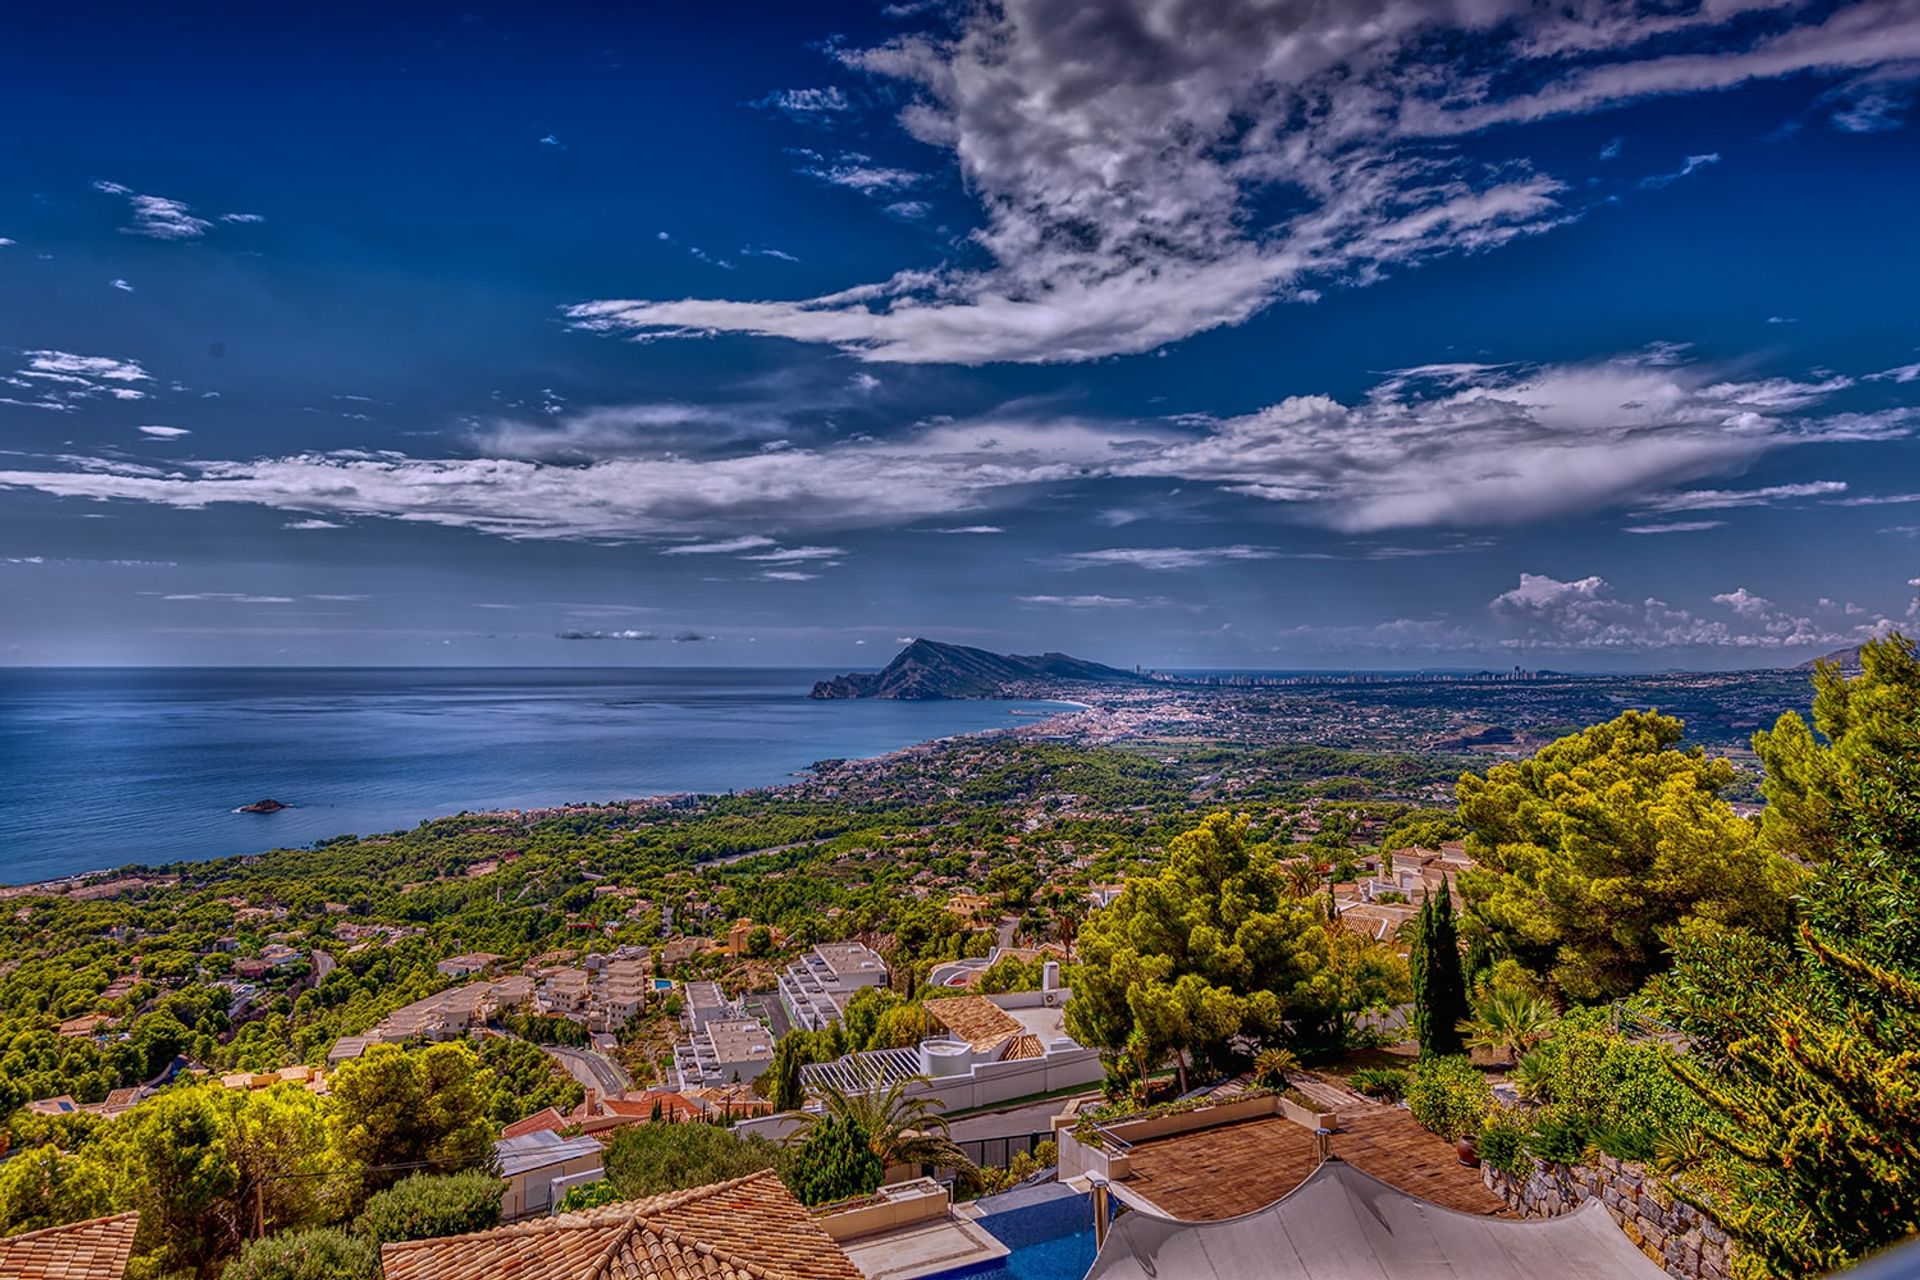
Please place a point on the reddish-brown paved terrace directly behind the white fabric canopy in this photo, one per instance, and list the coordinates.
(1222, 1173)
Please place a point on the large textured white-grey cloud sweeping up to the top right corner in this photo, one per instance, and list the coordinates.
(1149, 170)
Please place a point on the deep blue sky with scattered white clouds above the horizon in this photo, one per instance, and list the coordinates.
(1172, 333)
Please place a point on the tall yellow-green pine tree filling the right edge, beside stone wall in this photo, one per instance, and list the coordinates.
(1810, 1055)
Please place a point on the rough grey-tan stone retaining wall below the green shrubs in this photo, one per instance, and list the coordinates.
(1681, 1239)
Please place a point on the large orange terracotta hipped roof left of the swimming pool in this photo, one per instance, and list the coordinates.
(748, 1229)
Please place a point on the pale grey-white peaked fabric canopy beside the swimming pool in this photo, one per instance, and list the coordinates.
(1347, 1225)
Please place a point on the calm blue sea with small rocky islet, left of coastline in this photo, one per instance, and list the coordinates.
(101, 769)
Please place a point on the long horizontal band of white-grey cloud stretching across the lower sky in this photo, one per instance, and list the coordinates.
(1456, 446)
